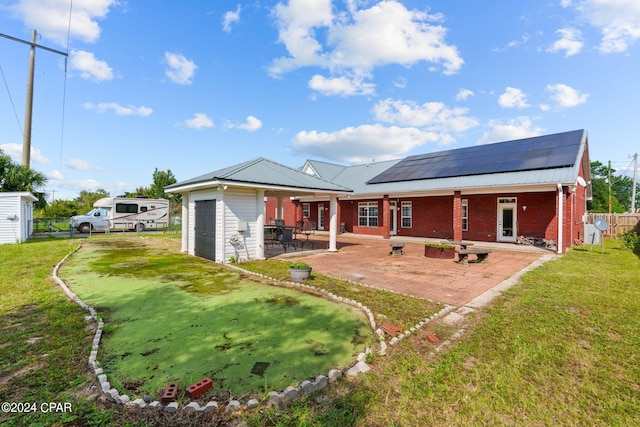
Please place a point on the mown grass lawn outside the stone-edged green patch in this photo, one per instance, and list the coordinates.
(561, 348)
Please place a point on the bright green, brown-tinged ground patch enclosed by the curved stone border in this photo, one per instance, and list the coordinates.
(172, 317)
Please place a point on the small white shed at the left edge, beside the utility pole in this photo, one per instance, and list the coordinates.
(16, 216)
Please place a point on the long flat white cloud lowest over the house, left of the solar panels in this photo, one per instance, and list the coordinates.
(361, 144)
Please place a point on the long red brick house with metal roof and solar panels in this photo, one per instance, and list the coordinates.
(534, 187)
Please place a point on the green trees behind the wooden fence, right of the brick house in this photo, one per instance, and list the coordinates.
(621, 189)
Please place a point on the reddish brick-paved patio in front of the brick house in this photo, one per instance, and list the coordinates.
(367, 260)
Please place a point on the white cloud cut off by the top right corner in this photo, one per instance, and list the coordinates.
(617, 20)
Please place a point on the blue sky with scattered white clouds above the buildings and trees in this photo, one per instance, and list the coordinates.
(196, 86)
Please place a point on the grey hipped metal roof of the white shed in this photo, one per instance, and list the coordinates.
(263, 172)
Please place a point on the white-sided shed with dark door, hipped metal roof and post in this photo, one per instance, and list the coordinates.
(223, 211)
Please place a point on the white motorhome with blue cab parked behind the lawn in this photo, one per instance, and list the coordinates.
(121, 213)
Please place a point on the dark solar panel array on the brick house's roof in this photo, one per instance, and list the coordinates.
(542, 152)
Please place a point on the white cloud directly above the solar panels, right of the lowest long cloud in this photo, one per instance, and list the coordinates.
(433, 116)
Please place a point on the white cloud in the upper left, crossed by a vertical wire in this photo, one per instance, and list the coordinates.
(51, 18)
